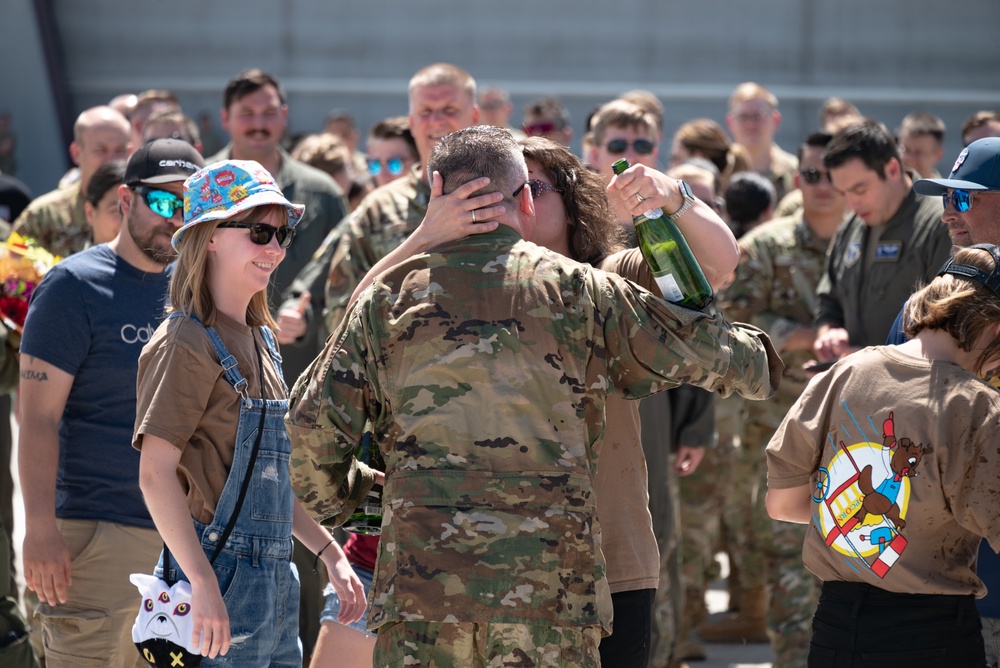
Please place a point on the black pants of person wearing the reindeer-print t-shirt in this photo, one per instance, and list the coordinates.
(859, 625)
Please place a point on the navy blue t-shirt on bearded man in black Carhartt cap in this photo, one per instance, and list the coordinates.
(90, 317)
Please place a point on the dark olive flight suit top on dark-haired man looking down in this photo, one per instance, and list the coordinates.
(864, 283)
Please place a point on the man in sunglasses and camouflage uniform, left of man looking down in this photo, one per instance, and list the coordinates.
(775, 288)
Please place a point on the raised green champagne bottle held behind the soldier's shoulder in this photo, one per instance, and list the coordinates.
(669, 257)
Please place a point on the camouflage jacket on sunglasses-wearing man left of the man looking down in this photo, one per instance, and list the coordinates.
(781, 263)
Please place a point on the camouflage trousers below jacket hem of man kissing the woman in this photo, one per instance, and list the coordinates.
(463, 645)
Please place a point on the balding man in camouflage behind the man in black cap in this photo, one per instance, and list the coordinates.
(56, 219)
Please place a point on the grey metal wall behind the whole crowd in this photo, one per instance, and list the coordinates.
(888, 56)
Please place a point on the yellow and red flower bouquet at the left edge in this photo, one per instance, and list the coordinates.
(22, 264)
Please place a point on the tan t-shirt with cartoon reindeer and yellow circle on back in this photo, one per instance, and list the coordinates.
(902, 456)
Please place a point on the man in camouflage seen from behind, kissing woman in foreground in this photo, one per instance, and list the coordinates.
(483, 366)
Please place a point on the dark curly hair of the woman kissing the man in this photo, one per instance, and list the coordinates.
(594, 231)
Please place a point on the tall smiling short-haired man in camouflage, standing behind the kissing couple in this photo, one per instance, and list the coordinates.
(442, 100)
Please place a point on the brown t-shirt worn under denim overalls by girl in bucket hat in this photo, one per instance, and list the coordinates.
(183, 398)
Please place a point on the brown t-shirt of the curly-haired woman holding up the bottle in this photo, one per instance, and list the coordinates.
(627, 539)
